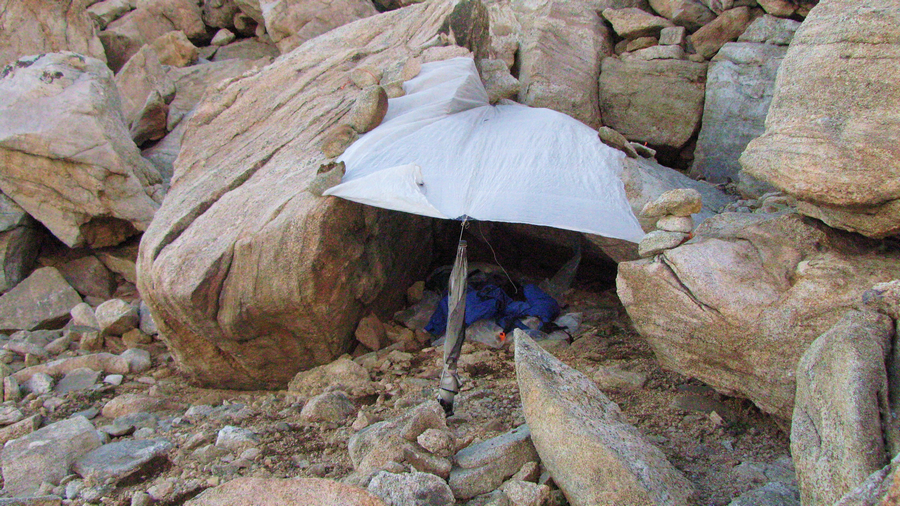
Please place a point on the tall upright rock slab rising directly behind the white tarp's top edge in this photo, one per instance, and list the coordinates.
(561, 47)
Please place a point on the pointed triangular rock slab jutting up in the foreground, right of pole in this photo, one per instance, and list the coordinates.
(590, 451)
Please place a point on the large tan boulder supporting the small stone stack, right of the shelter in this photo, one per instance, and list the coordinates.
(755, 288)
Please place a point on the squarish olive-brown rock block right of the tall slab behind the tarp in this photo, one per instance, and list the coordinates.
(659, 102)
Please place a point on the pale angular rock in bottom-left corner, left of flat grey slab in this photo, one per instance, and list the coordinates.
(46, 454)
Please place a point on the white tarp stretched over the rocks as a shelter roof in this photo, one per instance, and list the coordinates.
(444, 151)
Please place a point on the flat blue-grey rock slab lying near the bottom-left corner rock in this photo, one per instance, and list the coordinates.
(115, 461)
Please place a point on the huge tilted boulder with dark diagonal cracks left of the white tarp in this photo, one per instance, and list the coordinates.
(280, 289)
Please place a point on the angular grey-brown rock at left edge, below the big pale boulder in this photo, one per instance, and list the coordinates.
(43, 300)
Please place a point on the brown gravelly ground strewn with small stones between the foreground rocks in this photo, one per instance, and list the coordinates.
(724, 446)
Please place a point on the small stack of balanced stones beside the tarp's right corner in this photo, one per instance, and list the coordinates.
(673, 210)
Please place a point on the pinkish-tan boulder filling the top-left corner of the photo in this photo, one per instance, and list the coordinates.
(29, 27)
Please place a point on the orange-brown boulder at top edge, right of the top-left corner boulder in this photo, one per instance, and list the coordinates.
(150, 20)
